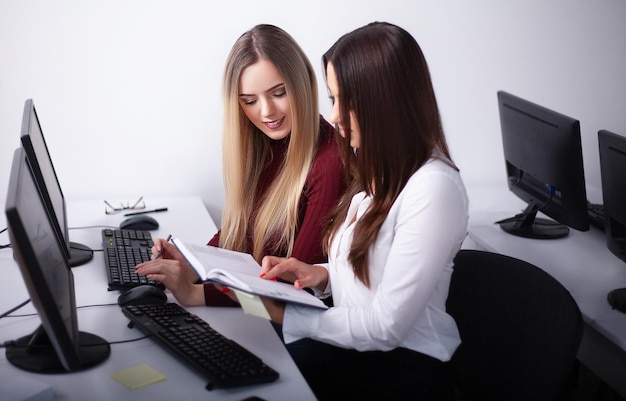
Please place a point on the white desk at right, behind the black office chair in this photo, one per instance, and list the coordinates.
(581, 262)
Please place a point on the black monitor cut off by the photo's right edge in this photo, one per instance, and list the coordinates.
(612, 167)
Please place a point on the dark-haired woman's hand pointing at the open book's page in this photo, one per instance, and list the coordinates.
(302, 275)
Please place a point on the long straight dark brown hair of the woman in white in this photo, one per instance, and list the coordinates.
(383, 79)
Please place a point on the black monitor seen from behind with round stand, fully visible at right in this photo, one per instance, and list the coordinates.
(544, 167)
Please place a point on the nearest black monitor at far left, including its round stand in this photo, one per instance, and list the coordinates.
(56, 345)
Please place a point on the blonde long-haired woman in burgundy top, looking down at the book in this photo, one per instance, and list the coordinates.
(282, 169)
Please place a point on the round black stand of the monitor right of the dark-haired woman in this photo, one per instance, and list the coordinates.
(528, 225)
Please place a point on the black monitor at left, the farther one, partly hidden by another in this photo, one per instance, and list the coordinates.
(41, 164)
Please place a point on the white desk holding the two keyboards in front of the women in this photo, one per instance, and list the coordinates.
(188, 219)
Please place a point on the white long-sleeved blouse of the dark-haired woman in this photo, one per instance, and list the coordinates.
(410, 265)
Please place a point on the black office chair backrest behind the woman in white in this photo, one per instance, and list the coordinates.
(520, 330)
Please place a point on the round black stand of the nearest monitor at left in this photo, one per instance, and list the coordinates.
(35, 353)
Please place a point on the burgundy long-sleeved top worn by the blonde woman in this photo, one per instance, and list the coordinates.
(322, 189)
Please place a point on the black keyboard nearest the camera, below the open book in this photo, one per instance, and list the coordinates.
(224, 362)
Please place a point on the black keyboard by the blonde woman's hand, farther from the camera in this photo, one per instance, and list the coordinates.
(123, 250)
